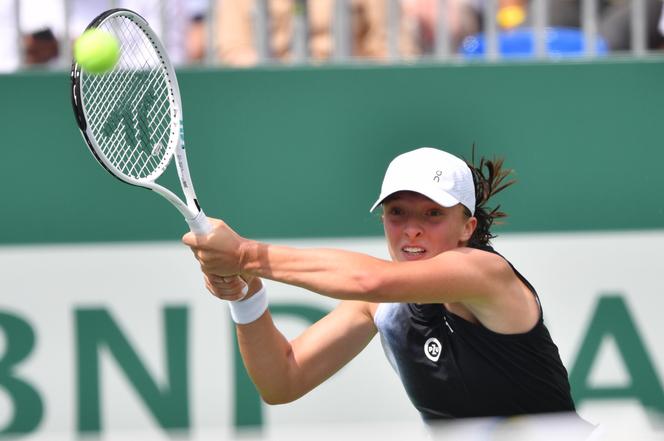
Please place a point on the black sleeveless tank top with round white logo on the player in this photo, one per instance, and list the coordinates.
(452, 368)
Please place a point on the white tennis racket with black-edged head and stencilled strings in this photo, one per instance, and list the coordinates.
(131, 116)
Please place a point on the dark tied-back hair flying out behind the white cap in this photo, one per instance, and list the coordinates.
(488, 177)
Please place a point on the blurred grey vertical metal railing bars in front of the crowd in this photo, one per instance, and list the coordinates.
(341, 29)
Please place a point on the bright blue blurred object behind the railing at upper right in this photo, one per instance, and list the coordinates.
(520, 43)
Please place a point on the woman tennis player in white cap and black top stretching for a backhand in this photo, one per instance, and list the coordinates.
(460, 325)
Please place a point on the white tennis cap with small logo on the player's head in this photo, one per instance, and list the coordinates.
(438, 175)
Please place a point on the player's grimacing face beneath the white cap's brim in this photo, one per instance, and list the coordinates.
(418, 228)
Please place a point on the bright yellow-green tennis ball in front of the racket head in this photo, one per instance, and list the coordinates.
(96, 51)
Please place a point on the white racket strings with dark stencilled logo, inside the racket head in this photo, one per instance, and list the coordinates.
(130, 109)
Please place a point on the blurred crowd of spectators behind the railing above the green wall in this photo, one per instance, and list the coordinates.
(244, 33)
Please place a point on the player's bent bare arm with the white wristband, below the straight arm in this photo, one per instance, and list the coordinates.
(285, 370)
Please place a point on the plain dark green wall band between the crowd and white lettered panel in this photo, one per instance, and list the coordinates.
(300, 152)
